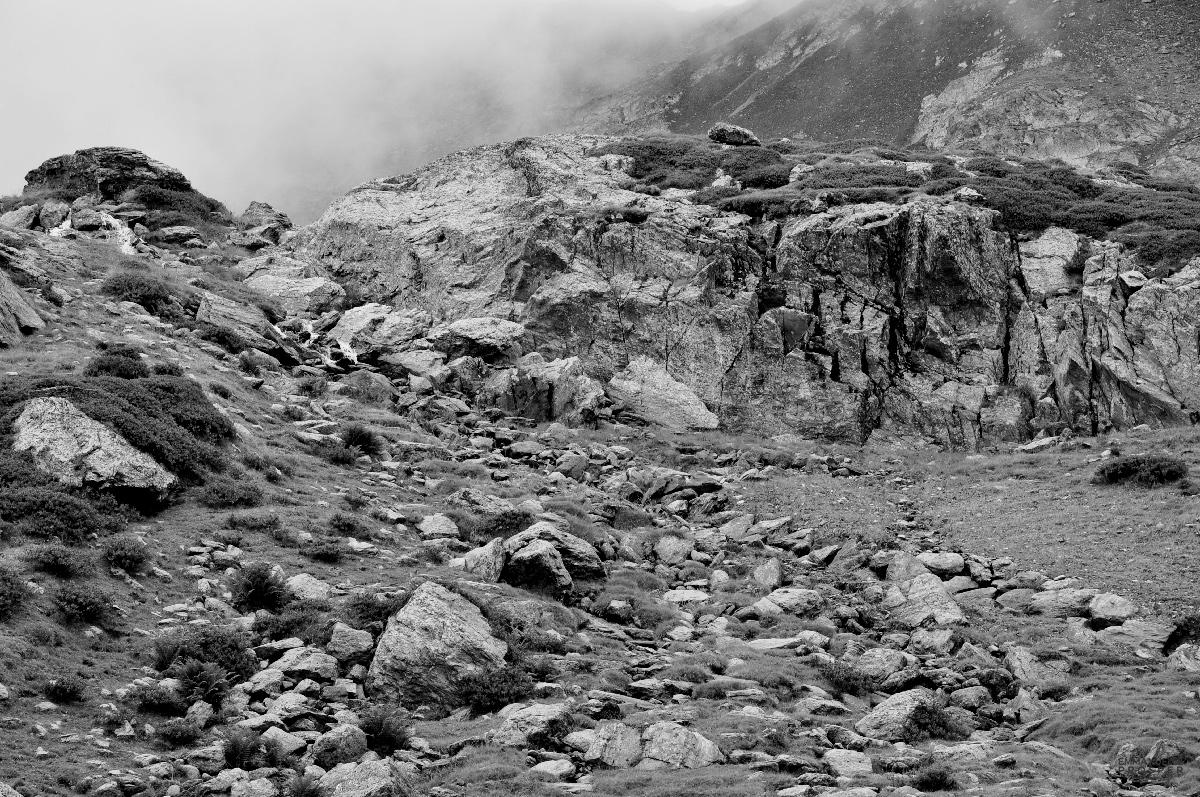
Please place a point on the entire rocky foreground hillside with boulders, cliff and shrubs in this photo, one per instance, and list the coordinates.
(542, 471)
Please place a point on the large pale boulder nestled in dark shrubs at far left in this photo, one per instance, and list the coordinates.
(79, 451)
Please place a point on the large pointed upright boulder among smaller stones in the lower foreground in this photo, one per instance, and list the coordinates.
(429, 646)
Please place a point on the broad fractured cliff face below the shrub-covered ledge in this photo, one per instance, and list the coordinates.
(880, 320)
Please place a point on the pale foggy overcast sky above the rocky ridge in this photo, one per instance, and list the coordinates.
(295, 101)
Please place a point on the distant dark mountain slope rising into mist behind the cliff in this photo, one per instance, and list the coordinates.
(1087, 82)
